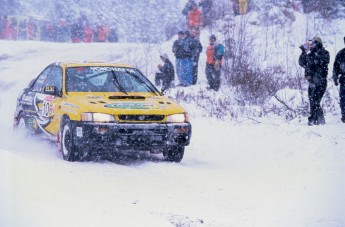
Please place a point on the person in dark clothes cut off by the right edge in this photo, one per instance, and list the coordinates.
(339, 78)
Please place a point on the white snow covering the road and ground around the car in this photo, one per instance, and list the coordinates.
(233, 173)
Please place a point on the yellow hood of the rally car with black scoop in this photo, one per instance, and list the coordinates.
(120, 103)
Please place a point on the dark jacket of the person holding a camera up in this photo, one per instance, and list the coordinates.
(315, 64)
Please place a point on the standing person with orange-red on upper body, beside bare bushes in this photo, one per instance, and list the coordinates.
(213, 65)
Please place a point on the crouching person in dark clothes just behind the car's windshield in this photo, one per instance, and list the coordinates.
(166, 74)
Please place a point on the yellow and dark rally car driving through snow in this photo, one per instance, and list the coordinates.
(87, 107)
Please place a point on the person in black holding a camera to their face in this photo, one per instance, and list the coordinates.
(315, 59)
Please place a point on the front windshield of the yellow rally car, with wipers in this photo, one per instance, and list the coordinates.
(107, 79)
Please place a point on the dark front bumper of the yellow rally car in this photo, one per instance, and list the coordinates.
(148, 136)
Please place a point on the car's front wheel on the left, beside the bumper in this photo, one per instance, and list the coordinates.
(69, 149)
